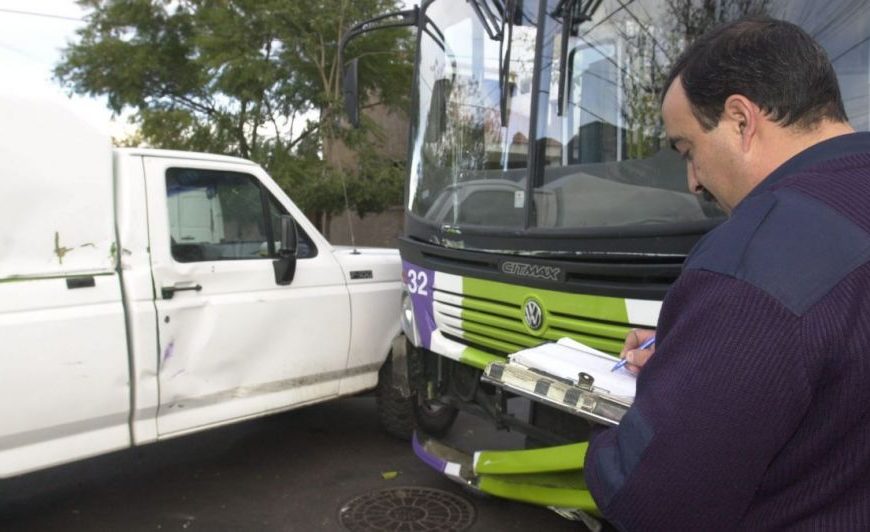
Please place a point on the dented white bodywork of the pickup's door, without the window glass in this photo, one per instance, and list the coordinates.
(241, 345)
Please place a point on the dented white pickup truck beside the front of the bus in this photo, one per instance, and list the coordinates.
(146, 294)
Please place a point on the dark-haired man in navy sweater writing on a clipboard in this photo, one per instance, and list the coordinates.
(754, 411)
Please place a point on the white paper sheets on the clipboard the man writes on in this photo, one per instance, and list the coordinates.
(567, 358)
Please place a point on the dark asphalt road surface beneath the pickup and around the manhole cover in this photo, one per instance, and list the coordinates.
(292, 471)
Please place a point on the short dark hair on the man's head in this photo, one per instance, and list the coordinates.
(774, 63)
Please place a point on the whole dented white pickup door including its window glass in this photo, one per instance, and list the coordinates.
(233, 343)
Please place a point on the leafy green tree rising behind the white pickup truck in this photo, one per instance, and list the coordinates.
(253, 78)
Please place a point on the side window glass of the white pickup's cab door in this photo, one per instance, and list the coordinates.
(221, 215)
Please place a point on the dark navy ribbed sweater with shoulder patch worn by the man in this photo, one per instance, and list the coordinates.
(754, 411)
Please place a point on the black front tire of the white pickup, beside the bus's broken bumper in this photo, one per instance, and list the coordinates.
(401, 416)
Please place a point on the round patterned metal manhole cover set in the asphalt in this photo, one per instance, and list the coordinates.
(407, 509)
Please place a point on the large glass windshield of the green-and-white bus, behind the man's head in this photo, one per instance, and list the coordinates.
(598, 159)
